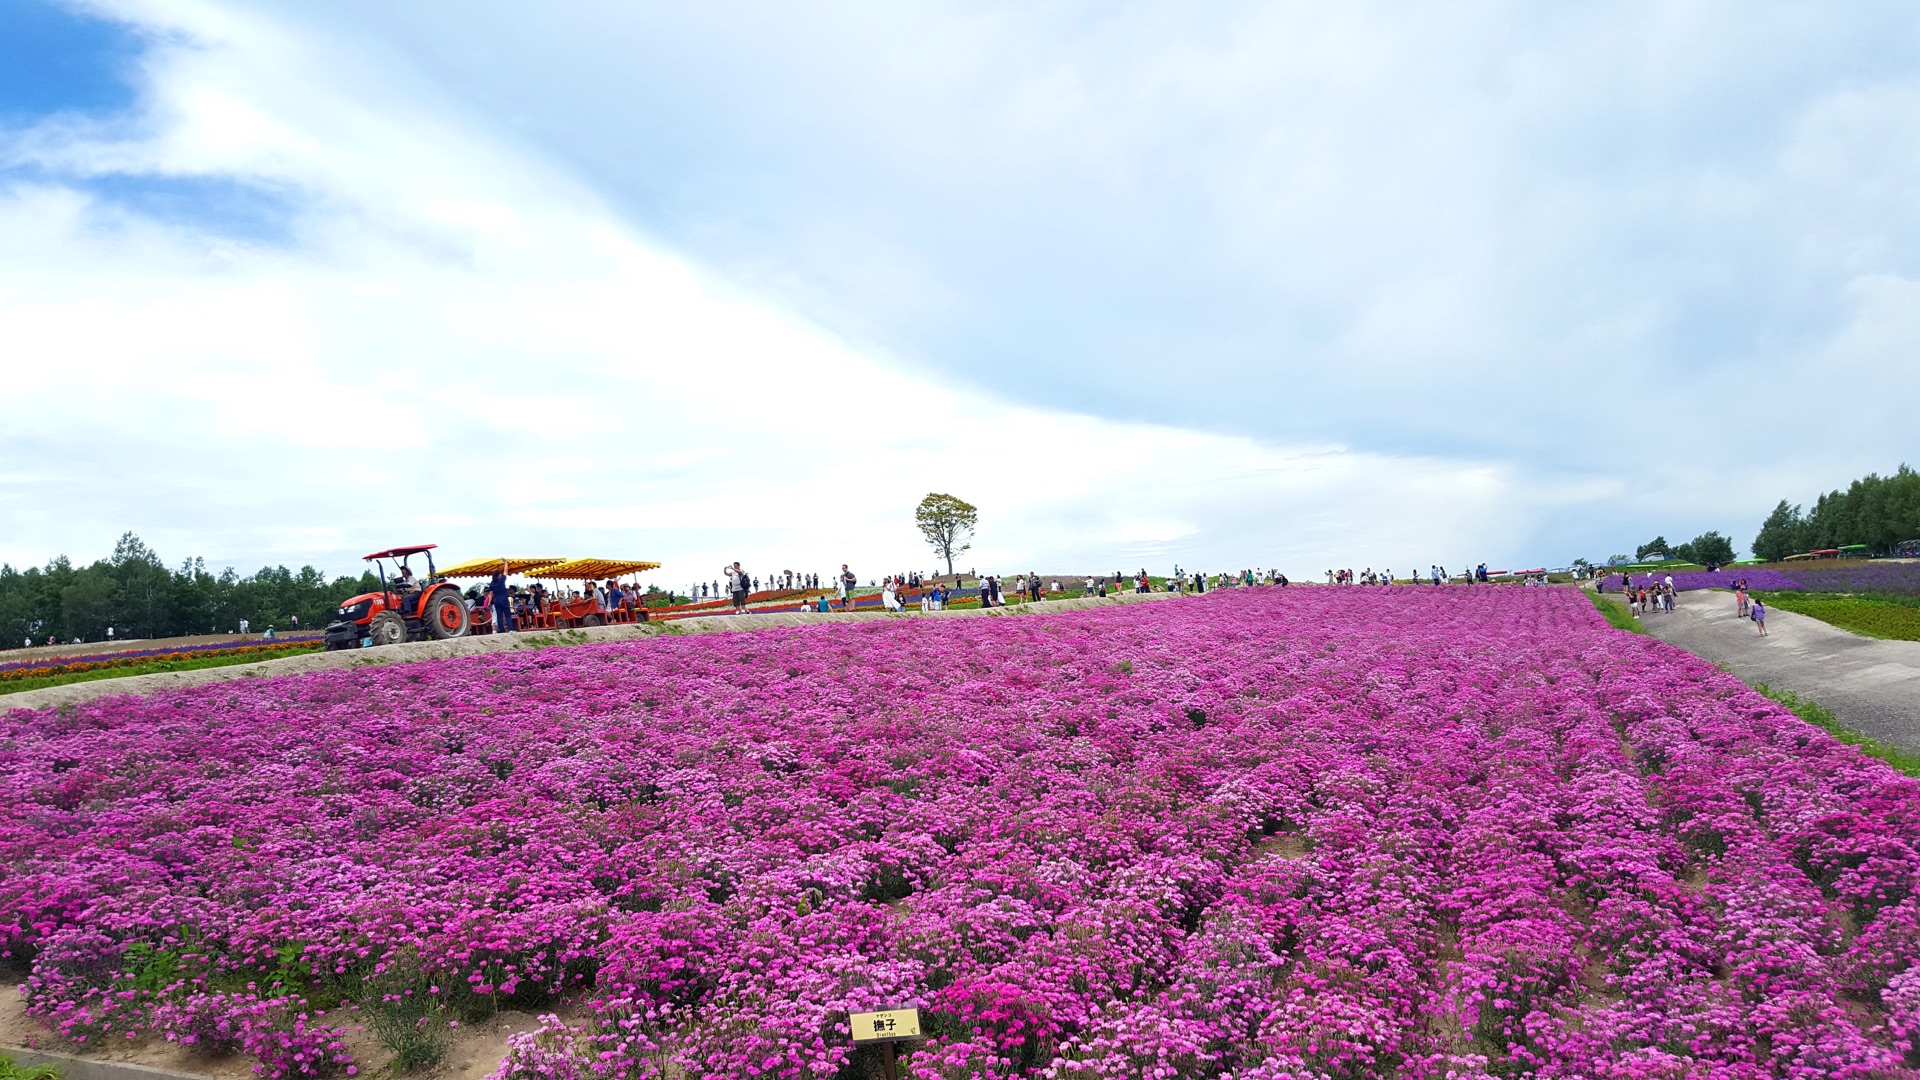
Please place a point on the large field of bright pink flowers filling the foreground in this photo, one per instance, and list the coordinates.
(1308, 833)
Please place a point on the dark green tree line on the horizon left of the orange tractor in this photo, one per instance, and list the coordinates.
(143, 599)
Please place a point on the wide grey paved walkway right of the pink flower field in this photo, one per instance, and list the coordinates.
(1871, 685)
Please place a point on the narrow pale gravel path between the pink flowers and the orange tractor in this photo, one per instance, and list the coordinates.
(510, 643)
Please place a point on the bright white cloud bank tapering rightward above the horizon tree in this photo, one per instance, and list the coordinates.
(468, 347)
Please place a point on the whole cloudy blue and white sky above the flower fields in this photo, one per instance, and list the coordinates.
(1284, 285)
